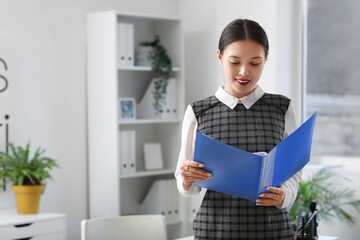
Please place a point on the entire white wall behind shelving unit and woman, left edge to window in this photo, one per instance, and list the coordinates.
(44, 44)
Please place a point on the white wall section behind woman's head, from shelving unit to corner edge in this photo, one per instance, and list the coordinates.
(202, 33)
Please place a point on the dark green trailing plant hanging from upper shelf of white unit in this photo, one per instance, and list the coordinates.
(162, 67)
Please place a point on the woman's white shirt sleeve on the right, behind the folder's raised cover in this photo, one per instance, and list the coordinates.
(291, 186)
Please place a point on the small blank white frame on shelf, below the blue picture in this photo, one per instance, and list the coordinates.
(153, 156)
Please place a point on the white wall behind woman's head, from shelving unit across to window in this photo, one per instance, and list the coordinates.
(281, 21)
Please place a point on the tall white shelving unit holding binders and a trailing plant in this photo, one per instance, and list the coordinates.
(110, 193)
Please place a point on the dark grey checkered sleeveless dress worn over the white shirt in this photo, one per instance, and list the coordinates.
(257, 129)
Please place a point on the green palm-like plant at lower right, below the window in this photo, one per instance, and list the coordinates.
(323, 187)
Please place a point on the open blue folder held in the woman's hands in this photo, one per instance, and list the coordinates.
(245, 174)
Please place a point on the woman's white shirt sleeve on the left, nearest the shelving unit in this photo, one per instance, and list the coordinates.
(188, 134)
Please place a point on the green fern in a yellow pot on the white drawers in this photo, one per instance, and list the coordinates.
(27, 174)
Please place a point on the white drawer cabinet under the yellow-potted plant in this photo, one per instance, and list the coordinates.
(41, 226)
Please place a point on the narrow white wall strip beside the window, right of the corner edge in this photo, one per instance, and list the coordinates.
(289, 51)
